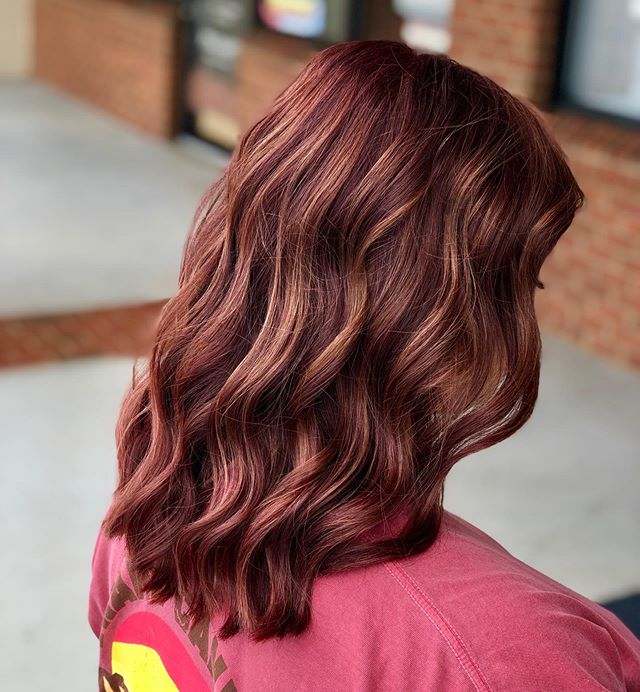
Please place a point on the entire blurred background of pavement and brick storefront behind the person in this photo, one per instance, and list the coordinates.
(115, 115)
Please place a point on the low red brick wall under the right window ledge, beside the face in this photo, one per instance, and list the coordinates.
(592, 278)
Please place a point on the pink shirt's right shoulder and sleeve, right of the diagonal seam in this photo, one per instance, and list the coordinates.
(510, 626)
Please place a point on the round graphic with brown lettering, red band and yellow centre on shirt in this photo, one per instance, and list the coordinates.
(152, 648)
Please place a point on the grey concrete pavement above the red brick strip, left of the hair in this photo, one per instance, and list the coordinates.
(92, 213)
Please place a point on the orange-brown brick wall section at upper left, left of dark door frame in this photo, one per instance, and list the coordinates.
(121, 56)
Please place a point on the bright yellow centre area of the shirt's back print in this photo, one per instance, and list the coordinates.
(141, 667)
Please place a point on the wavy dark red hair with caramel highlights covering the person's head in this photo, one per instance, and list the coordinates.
(355, 314)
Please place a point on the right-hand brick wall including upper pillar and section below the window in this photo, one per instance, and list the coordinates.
(592, 278)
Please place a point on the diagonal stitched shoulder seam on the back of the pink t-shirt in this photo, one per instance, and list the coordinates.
(443, 627)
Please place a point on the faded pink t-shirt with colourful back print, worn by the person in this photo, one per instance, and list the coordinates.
(463, 615)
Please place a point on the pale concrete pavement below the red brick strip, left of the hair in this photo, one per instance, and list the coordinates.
(57, 472)
